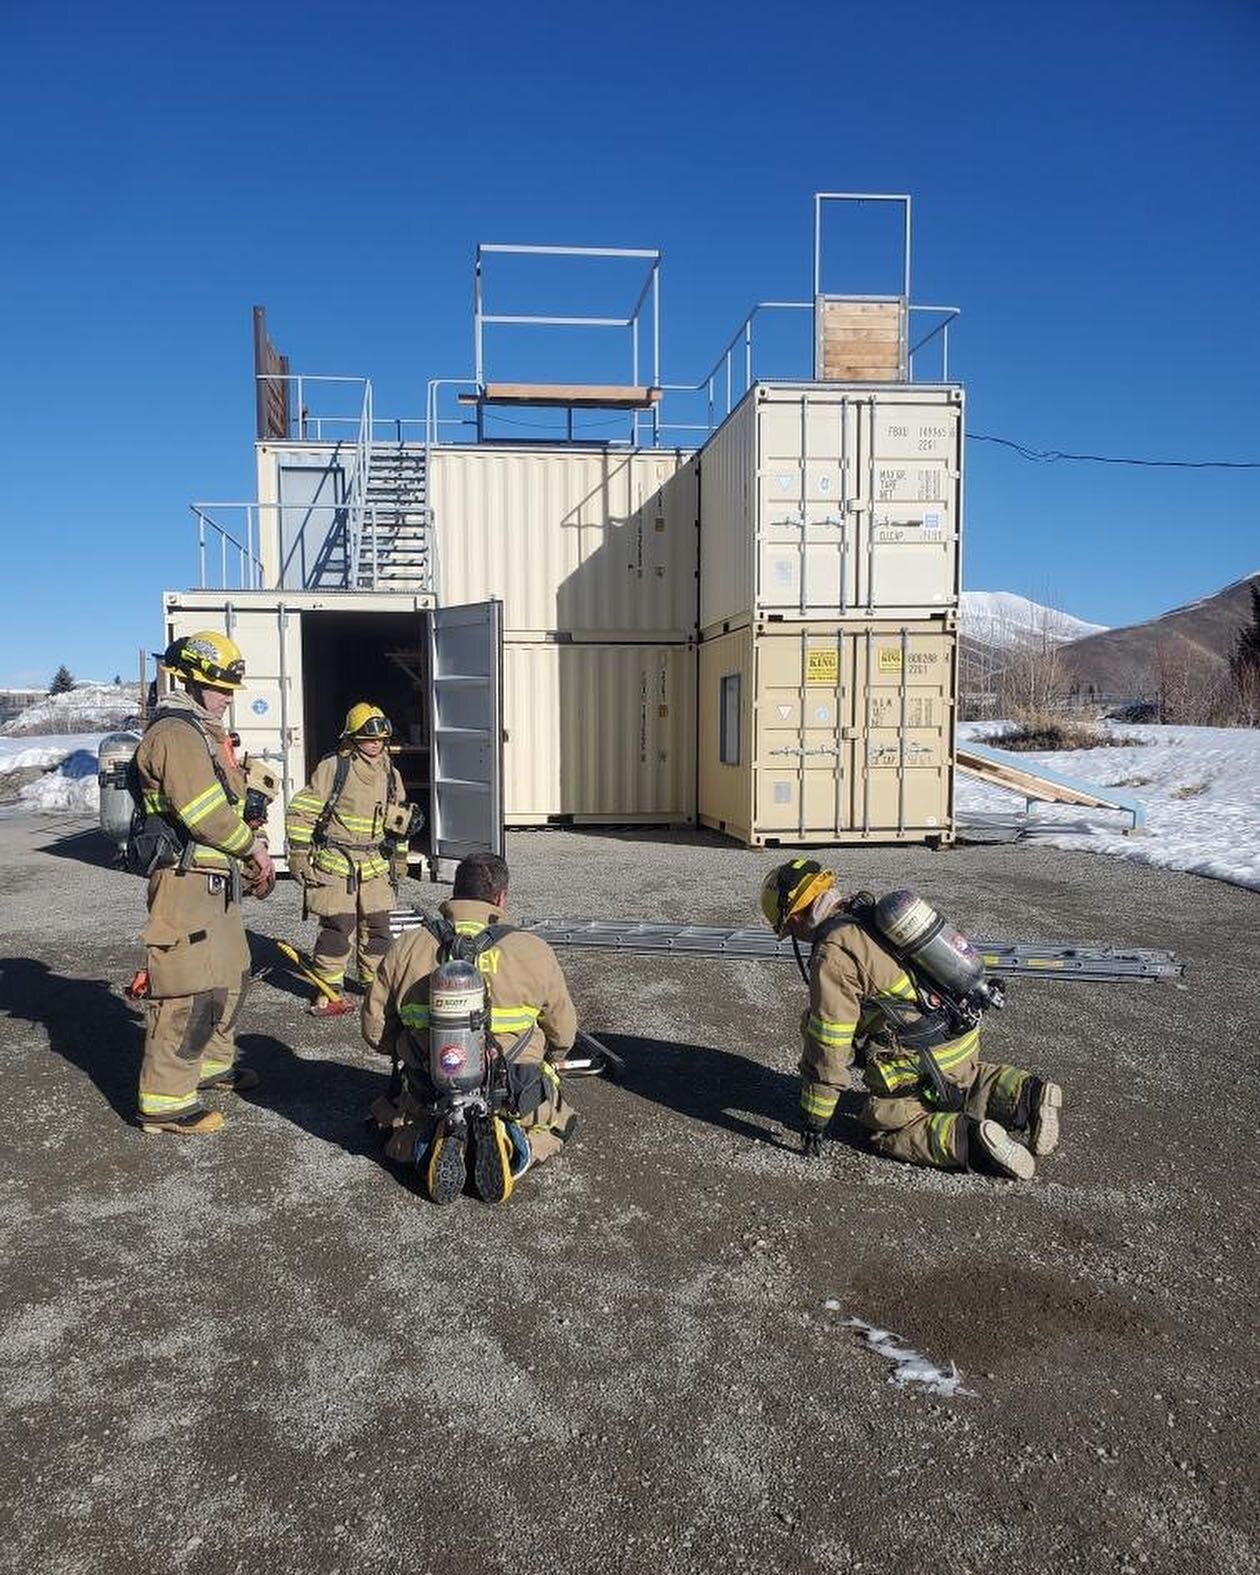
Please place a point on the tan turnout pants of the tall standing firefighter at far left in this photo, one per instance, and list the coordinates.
(199, 974)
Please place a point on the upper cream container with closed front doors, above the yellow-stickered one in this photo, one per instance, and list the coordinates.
(823, 502)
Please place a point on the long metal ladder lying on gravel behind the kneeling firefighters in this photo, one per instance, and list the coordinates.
(1086, 963)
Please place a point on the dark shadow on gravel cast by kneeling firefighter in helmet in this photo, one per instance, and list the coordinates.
(722, 1089)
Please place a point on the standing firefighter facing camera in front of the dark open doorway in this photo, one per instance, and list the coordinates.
(347, 843)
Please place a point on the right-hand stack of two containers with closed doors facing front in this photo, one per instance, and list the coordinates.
(829, 574)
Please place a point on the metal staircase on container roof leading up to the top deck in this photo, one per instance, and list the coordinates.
(396, 543)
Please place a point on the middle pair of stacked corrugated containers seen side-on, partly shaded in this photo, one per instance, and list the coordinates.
(595, 558)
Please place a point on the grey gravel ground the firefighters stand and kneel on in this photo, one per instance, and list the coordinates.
(262, 1352)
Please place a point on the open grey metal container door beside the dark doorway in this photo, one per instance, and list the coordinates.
(465, 680)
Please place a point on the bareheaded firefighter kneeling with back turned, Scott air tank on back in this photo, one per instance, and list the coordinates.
(473, 1014)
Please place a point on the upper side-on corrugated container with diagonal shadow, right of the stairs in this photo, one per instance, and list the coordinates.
(595, 544)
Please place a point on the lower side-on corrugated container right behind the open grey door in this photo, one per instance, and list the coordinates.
(599, 733)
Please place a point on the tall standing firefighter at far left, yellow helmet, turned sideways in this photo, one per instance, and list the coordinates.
(191, 839)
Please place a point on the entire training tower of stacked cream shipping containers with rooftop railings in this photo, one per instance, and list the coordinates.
(732, 601)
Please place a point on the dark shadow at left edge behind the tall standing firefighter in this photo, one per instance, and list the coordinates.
(87, 1021)
